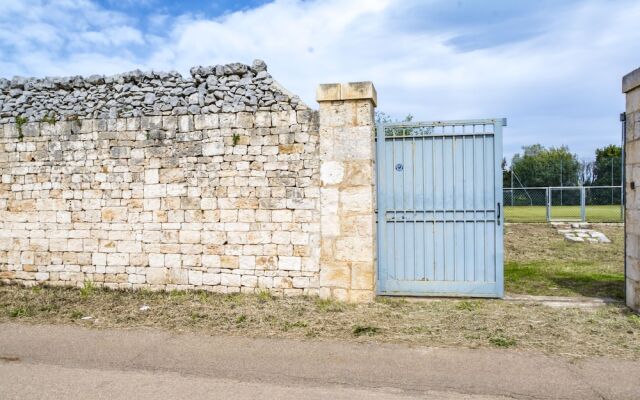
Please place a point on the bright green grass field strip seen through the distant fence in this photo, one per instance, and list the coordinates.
(539, 213)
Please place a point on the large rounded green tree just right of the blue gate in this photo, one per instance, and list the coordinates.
(540, 166)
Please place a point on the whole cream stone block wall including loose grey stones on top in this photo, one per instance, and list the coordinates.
(152, 180)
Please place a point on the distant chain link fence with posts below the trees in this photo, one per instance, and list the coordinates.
(577, 203)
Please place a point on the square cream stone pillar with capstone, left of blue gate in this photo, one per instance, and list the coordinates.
(347, 174)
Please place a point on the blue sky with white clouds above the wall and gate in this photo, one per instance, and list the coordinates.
(553, 68)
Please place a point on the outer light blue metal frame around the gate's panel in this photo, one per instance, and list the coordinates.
(498, 124)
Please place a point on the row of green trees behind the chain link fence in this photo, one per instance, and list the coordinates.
(539, 166)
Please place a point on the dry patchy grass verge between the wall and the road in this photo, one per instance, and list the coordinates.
(607, 331)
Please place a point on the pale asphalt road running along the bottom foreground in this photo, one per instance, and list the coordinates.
(67, 362)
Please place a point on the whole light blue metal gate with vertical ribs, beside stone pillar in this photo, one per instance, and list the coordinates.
(439, 208)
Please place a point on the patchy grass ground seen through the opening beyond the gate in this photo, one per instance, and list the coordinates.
(539, 261)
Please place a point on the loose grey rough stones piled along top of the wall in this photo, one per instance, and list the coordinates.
(227, 88)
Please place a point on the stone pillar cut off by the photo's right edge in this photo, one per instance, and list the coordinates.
(631, 87)
